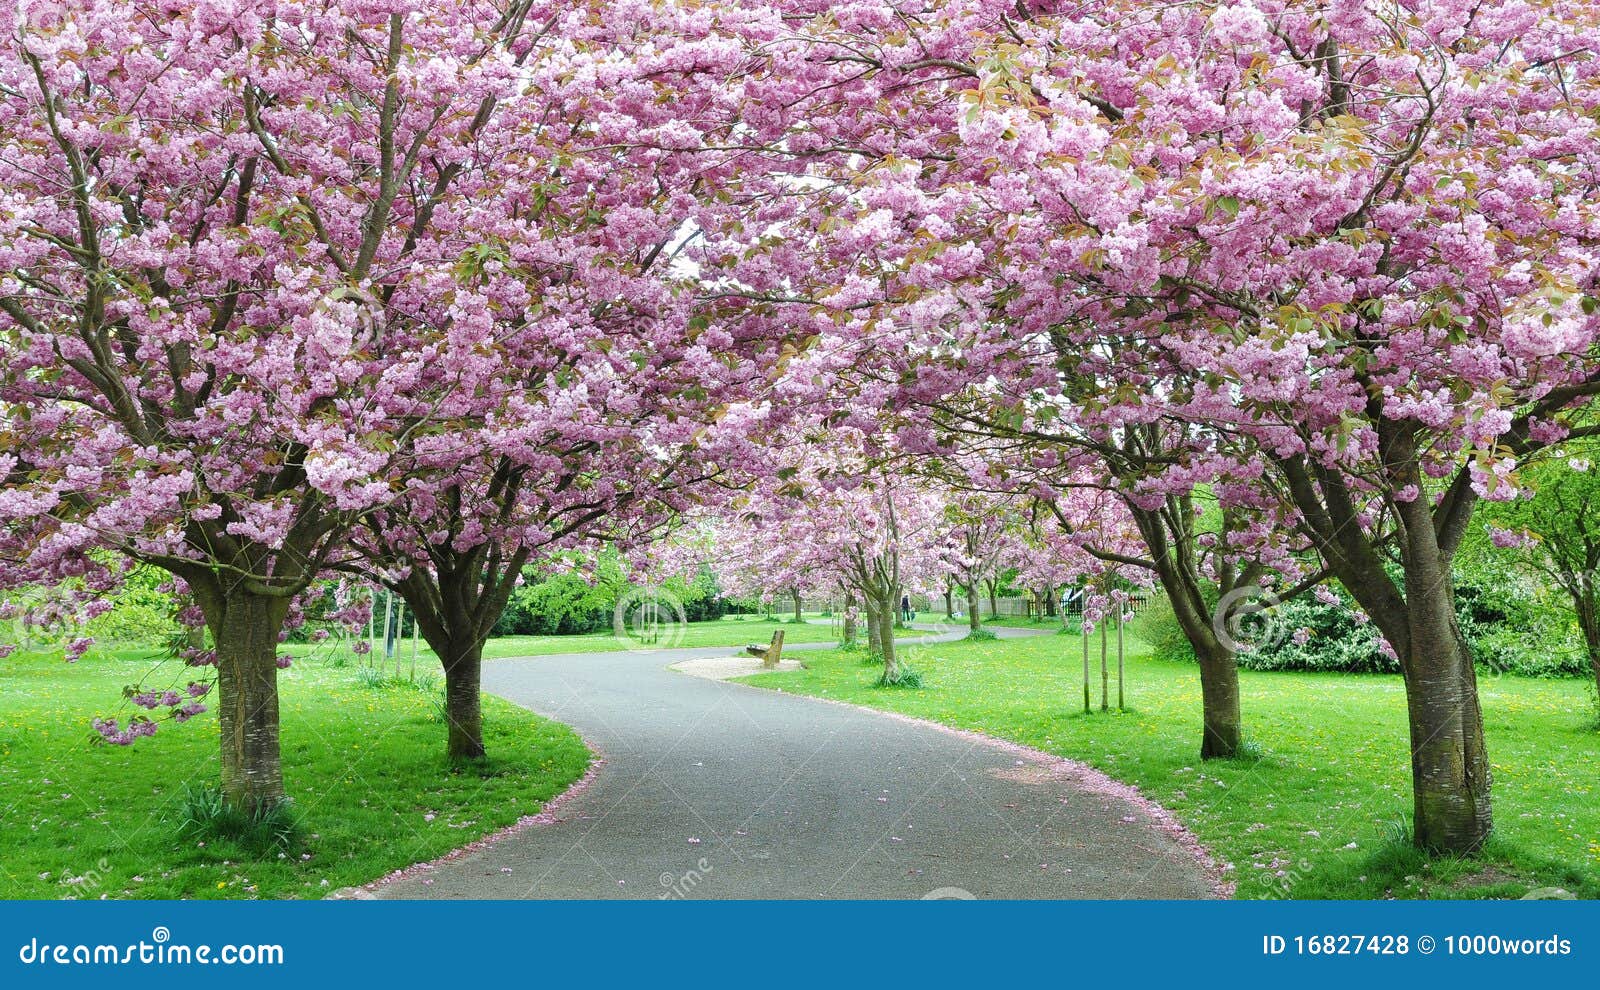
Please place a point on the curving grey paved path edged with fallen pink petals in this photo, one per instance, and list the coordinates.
(714, 789)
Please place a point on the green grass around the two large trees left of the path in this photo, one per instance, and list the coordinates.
(364, 765)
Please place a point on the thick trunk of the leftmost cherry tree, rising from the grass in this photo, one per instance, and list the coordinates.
(247, 674)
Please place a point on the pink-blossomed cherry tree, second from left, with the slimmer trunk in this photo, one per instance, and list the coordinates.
(614, 361)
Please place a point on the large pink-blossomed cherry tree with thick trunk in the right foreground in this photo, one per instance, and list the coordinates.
(1420, 324)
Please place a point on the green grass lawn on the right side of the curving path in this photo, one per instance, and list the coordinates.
(1321, 805)
